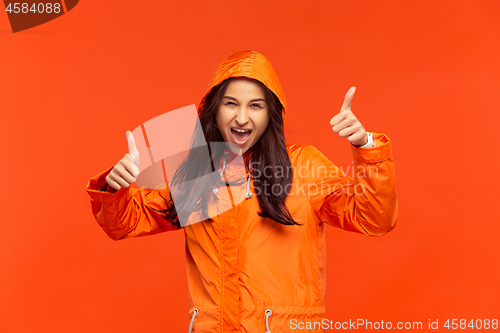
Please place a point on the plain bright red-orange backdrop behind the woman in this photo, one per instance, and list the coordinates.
(427, 74)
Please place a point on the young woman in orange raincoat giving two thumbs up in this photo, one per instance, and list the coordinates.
(257, 262)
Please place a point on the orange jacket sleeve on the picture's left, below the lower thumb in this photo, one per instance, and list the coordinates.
(129, 212)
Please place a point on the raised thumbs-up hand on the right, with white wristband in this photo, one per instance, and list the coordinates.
(347, 125)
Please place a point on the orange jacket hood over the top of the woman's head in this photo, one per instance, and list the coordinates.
(249, 64)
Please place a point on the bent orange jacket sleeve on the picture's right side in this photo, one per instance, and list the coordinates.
(366, 203)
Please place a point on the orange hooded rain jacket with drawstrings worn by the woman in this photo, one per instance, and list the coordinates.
(247, 273)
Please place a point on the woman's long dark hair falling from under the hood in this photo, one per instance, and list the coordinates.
(189, 174)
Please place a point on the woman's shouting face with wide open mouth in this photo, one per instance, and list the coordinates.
(243, 108)
